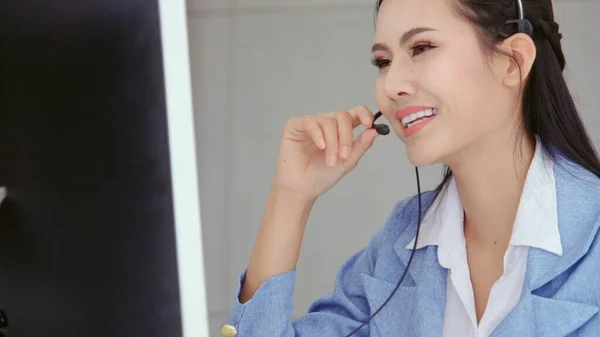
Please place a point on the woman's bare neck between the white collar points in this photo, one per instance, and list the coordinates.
(490, 177)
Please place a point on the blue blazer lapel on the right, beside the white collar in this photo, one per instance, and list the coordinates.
(578, 215)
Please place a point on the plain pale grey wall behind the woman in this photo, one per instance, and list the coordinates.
(257, 63)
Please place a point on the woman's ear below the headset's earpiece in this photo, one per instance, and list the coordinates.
(522, 51)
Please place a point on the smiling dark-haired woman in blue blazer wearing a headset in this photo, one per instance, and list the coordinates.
(509, 246)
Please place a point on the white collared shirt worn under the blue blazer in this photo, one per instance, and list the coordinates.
(536, 225)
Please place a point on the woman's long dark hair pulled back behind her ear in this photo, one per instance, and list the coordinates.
(549, 111)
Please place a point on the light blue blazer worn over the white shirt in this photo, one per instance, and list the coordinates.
(561, 295)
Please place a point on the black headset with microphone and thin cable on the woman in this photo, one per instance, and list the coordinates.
(523, 26)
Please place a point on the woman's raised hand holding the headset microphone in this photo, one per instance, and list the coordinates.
(316, 151)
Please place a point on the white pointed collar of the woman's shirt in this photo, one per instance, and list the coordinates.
(536, 223)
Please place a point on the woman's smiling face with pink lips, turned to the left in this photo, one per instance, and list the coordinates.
(432, 65)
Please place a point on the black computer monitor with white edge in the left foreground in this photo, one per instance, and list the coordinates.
(100, 228)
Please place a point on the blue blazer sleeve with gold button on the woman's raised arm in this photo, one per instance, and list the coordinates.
(269, 311)
